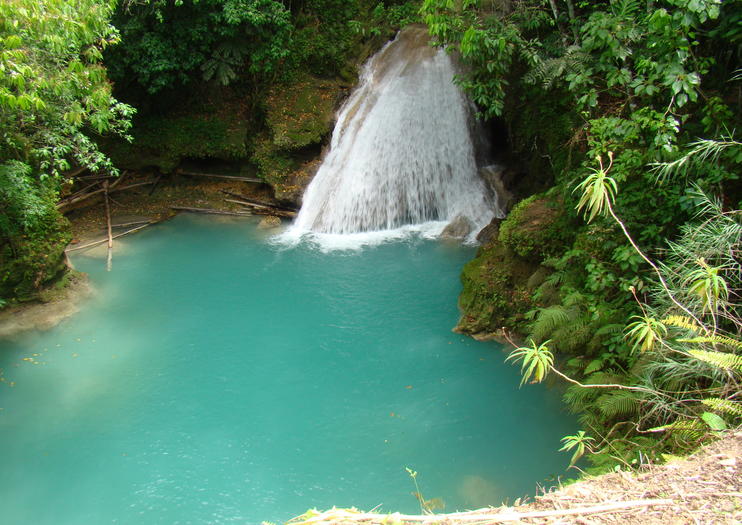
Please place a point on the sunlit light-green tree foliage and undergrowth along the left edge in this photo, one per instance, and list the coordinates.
(54, 96)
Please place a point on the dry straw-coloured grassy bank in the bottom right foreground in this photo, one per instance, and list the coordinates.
(701, 489)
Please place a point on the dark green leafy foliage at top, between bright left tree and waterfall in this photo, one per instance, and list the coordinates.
(167, 45)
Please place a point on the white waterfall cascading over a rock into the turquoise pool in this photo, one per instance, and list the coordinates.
(401, 153)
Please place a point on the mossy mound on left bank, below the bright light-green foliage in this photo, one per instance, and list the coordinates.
(32, 262)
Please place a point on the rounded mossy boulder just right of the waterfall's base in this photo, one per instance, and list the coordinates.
(537, 227)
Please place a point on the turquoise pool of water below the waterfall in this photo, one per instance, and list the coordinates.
(217, 377)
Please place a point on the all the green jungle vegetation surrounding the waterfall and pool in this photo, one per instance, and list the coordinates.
(625, 112)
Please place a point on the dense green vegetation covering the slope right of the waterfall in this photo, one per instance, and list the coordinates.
(631, 107)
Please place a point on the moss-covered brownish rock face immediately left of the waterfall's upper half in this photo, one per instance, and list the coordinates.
(302, 113)
